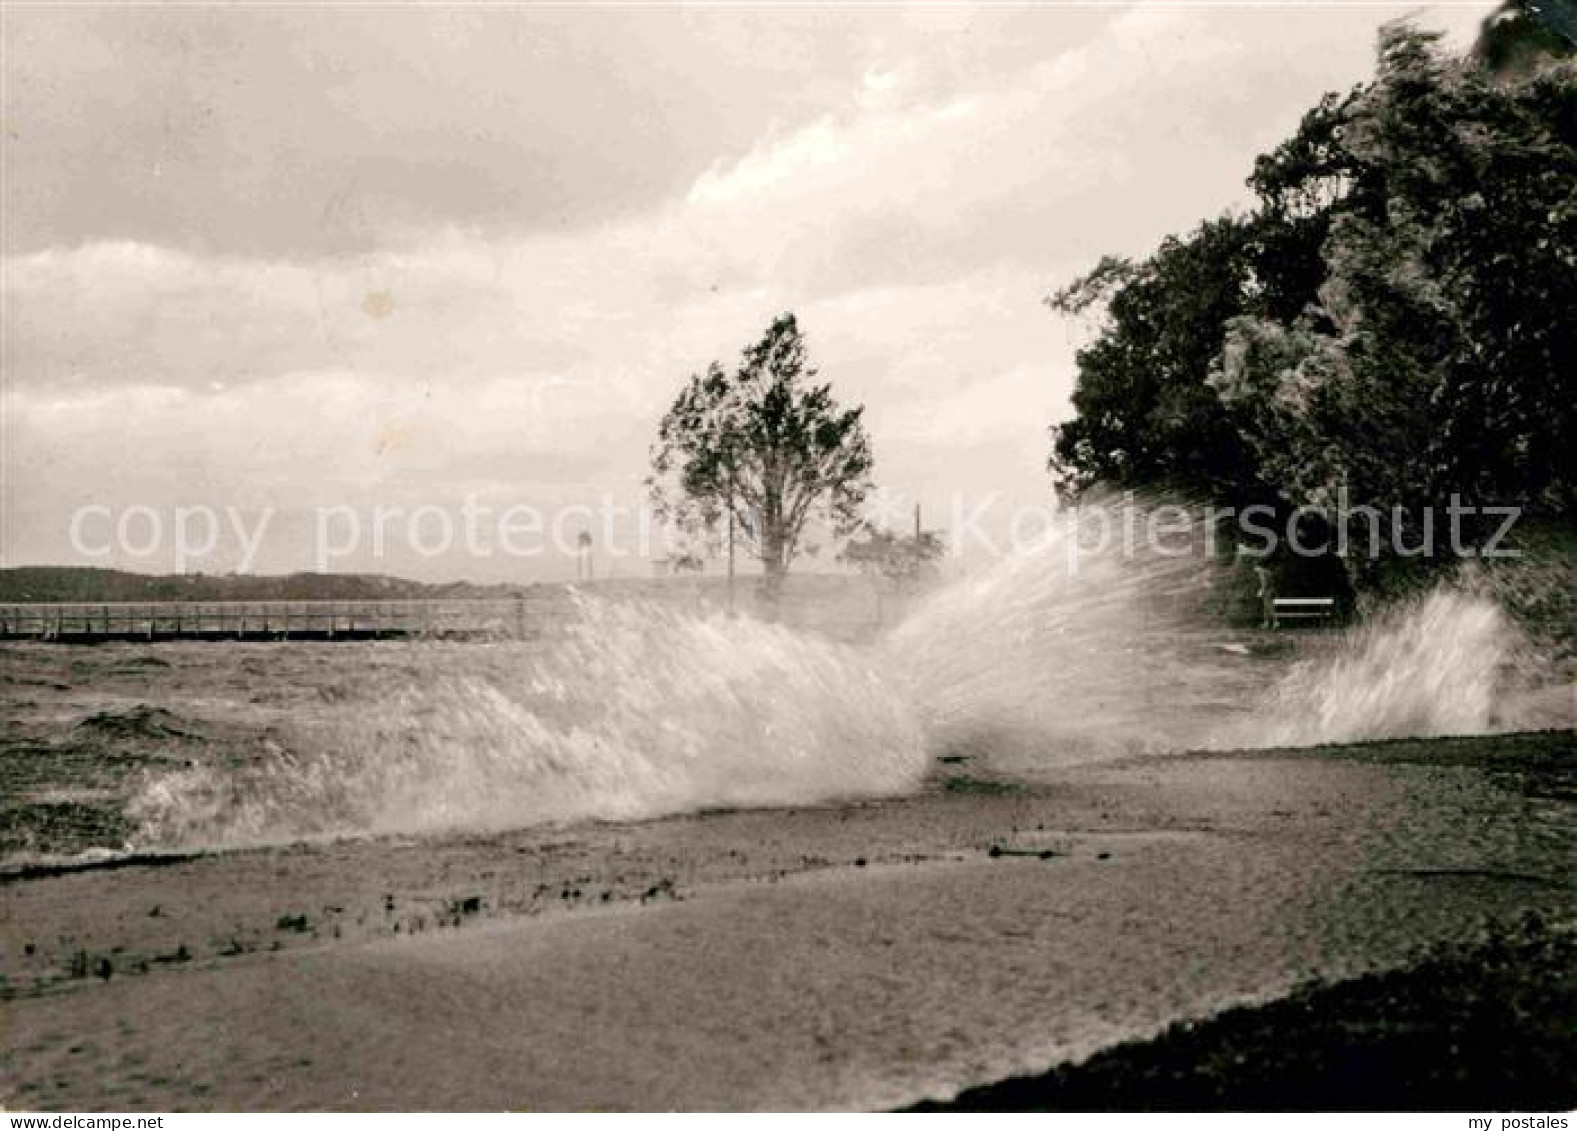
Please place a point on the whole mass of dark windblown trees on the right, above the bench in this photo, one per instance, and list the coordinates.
(1393, 323)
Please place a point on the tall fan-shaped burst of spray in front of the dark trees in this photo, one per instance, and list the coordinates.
(1092, 643)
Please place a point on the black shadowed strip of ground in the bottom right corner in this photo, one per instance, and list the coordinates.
(1464, 1029)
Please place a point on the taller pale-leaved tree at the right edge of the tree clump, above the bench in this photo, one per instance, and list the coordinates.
(1437, 353)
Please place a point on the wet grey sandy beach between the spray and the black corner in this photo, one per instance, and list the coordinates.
(846, 957)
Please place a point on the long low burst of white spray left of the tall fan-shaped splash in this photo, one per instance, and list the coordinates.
(639, 711)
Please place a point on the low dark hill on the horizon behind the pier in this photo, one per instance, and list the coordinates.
(88, 584)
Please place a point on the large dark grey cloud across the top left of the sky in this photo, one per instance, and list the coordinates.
(307, 132)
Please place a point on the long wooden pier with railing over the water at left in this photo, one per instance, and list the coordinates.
(261, 621)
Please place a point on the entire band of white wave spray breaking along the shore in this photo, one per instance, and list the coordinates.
(1090, 644)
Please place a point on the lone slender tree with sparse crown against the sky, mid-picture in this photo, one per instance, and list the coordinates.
(764, 447)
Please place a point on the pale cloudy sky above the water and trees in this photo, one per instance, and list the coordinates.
(406, 289)
